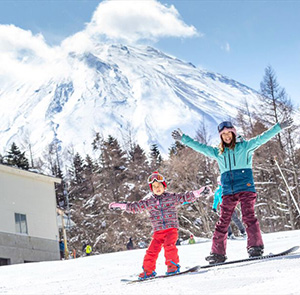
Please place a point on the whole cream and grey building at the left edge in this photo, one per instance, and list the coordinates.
(28, 218)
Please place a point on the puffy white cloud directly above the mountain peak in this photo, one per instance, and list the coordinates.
(137, 20)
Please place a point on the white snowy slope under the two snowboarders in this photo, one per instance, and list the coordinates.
(102, 274)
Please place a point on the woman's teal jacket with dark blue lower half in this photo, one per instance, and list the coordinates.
(235, 165)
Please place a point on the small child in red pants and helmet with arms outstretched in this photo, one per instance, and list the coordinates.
(161, 206)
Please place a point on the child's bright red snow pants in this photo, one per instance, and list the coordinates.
(163, 238)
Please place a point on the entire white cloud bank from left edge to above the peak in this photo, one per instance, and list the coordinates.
(27, 56)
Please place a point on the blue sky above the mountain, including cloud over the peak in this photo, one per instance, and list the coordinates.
(238, 39)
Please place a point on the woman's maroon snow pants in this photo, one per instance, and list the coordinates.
(229, 202)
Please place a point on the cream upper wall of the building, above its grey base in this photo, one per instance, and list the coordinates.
(33, 197)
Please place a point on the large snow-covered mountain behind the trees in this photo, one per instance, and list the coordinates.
(114, 90)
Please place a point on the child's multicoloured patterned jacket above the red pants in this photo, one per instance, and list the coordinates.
(162, 209)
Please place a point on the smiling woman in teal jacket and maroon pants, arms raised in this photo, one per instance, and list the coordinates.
(234, 157)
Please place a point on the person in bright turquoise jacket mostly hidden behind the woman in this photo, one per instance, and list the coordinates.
(234, 217)
